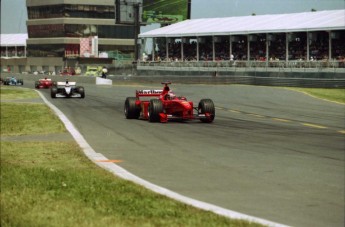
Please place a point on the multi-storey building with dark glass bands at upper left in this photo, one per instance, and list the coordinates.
(58, 28)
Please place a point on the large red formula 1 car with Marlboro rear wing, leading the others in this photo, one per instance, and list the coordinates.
(164, 105)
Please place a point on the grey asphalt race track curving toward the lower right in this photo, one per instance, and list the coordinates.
(272, 153)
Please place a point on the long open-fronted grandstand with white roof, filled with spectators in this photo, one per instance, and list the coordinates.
(298, 40)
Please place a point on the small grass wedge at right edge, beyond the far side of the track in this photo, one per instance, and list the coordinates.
(337, 95)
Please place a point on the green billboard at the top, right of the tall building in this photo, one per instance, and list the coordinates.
(165, 11)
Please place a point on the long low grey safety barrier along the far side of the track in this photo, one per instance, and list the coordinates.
(264, 79)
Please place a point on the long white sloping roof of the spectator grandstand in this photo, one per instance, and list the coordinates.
(275, 23)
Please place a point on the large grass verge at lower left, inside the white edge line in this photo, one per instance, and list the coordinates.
(54, 184)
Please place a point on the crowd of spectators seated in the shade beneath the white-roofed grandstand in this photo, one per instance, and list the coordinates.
(297, 46)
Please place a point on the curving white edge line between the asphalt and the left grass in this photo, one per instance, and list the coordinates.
(121, 172)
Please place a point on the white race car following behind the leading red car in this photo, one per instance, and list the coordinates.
(67, 90)
